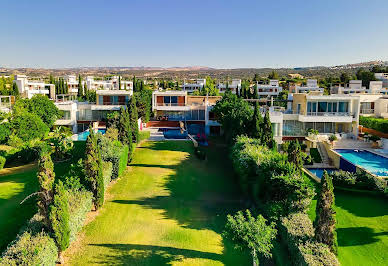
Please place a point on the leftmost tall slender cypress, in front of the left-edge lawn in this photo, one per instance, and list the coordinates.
(46, 178)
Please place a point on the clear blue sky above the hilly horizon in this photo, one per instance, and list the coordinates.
(214, 33)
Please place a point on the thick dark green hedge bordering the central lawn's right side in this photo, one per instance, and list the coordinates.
(267, 175)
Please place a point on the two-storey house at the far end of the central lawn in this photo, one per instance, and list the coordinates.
(175, 106)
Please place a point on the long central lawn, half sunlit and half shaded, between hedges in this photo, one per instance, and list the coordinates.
(168, 208)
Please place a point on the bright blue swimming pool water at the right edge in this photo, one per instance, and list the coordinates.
(373, 163)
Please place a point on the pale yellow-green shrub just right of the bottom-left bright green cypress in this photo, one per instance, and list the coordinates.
(80, 203)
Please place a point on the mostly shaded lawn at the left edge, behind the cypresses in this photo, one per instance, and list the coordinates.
(15, 184)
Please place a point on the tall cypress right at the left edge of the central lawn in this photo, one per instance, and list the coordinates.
(93, 169)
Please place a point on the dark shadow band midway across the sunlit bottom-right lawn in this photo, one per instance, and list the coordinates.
(357, 236)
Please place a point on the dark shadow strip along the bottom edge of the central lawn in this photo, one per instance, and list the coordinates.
(133, 254)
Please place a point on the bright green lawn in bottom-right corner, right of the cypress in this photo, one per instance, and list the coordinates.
(362, 228)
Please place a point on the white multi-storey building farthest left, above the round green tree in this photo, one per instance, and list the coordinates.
(29, 88)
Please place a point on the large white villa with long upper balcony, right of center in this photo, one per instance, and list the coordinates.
(328, 114)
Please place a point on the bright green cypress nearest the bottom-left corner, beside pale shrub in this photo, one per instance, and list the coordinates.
(59, 217)
